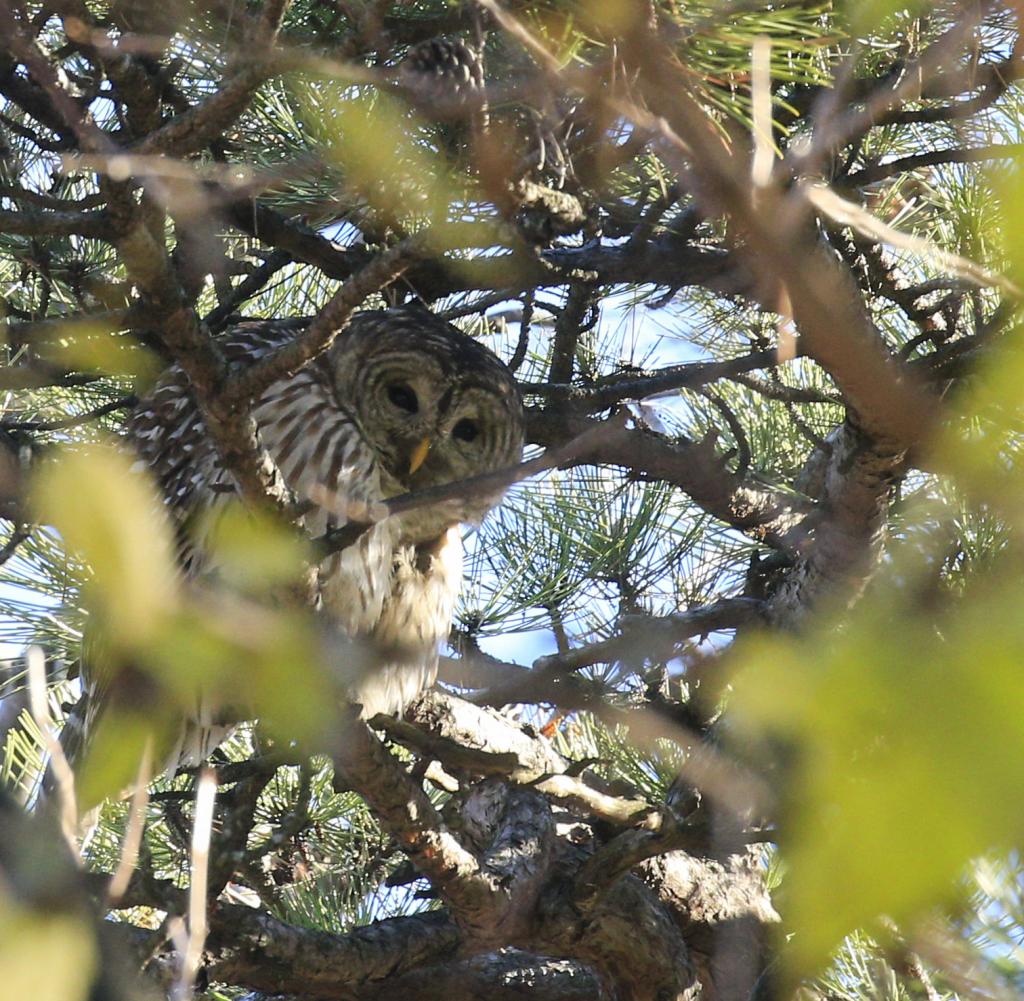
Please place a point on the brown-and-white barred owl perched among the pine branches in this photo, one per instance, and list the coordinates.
(401, 403)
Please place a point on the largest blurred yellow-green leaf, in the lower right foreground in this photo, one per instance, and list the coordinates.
(910, 758)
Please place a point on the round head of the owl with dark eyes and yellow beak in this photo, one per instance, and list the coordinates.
(436, 406)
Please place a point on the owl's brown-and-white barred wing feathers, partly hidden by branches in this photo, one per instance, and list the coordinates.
(323, 459)
